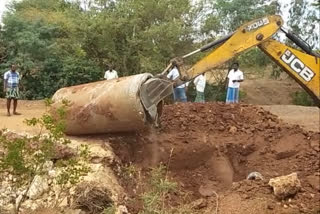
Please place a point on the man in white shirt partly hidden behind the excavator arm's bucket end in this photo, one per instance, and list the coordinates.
(179, 92)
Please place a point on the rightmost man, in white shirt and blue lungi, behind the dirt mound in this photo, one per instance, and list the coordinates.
(235, 76)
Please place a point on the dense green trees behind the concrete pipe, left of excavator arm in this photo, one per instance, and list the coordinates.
(62, 43)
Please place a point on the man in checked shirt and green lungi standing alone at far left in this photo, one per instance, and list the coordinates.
(11, 88)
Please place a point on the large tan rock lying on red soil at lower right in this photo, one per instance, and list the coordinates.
(285, 186)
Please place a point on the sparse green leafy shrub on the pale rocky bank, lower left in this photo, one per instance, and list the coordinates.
(24, 157)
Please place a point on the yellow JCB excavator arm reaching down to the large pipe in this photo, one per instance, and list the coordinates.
(303, 66)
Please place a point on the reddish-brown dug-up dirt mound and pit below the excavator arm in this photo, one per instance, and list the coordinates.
(213, 147)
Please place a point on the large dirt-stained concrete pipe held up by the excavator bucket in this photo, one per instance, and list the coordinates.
(104, 107)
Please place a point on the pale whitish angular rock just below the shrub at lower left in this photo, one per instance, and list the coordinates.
(38, 186)
